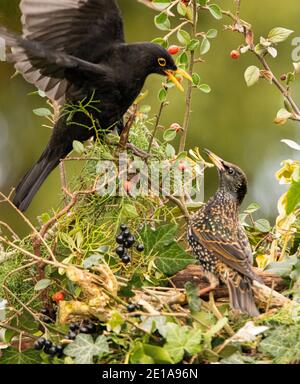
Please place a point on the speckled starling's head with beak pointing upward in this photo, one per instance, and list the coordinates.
(232, 179)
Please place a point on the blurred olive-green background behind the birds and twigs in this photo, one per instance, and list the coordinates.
(234, 121)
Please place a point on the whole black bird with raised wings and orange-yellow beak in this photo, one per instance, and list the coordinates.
(75, 49)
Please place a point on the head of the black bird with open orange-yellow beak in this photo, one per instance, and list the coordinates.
(158, 60)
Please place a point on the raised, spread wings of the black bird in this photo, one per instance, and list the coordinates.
(63, 28)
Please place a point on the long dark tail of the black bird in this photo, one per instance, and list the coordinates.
(35, 177)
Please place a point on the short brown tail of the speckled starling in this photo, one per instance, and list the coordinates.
(241, 296)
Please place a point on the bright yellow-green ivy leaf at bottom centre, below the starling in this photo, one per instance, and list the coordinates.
(182, 339)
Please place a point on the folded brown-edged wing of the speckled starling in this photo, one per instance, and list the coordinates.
(228, 249)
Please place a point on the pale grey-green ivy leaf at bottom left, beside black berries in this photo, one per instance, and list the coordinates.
(84, 349)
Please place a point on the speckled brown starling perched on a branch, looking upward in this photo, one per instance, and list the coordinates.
(219, 240)
